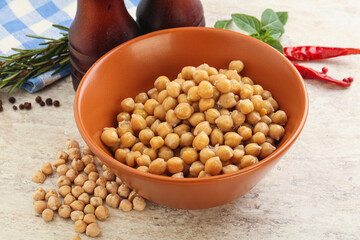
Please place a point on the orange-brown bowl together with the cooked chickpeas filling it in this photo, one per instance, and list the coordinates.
(191, 118)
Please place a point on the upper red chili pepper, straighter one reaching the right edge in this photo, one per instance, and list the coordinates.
(308, 53)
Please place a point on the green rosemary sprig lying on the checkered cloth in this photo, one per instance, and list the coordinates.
(28, 63)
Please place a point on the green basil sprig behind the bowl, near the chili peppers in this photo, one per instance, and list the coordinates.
(269, 29)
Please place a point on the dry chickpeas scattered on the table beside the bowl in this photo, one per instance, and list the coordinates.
(82, 188)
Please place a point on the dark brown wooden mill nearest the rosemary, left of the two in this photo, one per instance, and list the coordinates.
(99, 26)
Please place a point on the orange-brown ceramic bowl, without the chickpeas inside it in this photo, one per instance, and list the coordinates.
(133, 67)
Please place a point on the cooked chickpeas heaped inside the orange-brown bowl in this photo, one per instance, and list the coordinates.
(204, 123)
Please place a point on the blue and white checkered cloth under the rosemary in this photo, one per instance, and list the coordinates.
(35, 17)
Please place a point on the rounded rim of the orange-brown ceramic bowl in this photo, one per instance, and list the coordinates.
(153, 177)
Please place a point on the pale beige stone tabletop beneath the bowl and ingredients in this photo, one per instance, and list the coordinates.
(313, 193)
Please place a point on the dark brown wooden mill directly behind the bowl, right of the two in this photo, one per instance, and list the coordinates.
(152, 15)
